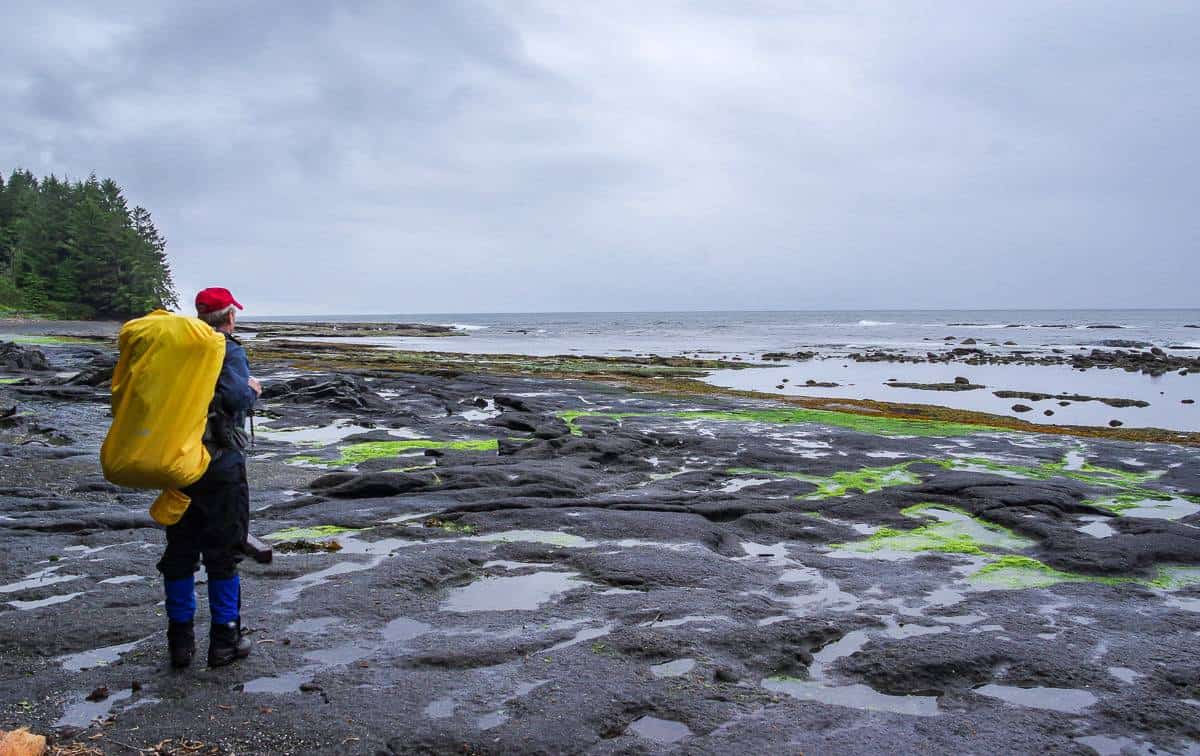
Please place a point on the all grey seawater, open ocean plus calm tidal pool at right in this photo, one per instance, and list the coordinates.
(835, 334)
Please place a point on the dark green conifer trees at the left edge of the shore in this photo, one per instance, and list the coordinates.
(76, 250)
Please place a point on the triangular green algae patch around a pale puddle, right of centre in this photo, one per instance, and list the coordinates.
(953, 532)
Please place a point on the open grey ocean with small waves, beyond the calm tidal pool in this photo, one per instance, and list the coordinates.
(754, 333)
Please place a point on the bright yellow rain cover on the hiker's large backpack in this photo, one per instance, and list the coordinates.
(163, 387)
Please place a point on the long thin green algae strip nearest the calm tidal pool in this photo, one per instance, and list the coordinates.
(863, 424)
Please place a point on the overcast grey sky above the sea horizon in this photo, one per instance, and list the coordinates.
(439, 157)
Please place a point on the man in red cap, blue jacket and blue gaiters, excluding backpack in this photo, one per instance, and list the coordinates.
(217, 523)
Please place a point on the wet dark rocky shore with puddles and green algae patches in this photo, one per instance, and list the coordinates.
(500, 554)
